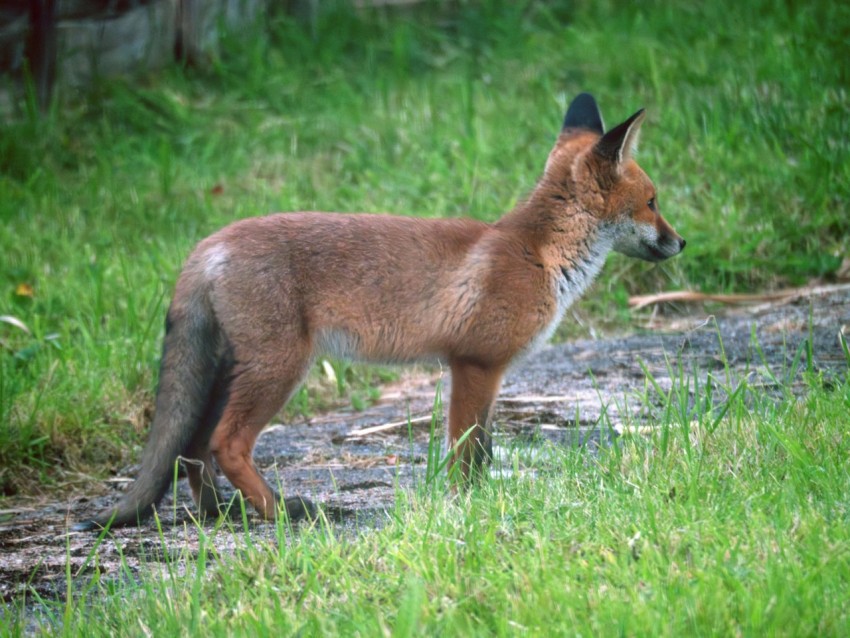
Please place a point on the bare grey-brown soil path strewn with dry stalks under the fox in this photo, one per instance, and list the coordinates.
(574, 394)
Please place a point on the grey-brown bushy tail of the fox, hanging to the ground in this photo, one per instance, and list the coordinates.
(190, 357)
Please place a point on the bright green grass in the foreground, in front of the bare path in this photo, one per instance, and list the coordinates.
(730, 520)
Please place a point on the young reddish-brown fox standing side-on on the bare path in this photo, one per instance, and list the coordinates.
(258, 302)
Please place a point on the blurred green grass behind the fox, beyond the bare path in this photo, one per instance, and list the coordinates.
(440, 108)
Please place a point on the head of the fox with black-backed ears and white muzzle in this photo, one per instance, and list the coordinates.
(599, 172)
